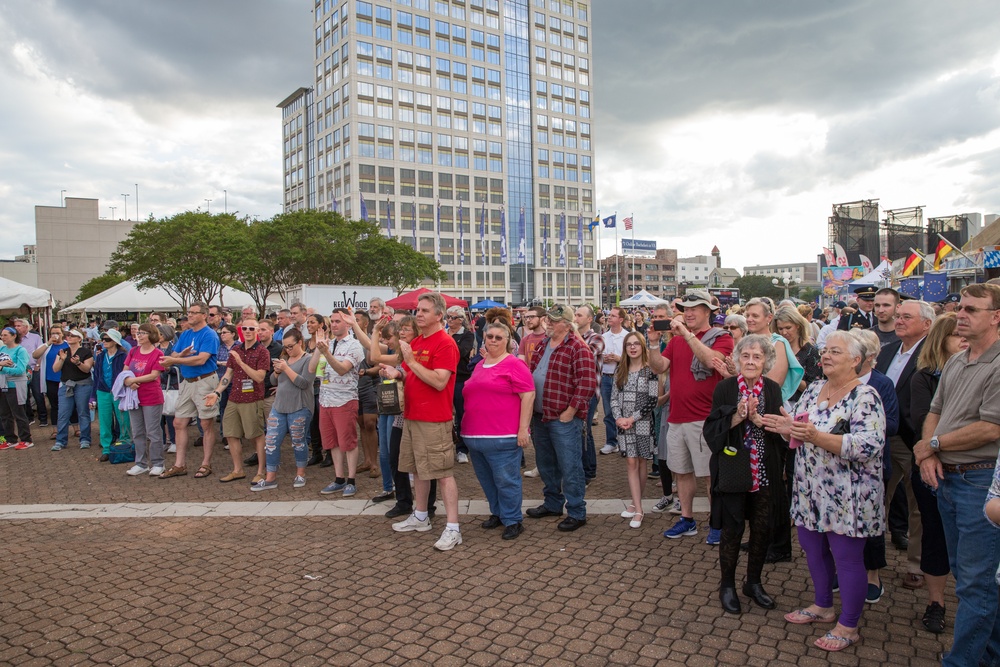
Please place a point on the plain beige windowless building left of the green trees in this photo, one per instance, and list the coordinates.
(73, 244)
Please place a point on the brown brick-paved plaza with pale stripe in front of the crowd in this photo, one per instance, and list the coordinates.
(103, 569)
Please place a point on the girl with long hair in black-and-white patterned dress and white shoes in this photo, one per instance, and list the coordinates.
(633, 396)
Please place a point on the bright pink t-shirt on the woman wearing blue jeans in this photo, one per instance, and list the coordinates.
(492, 404)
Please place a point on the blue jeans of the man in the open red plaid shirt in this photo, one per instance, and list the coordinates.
(557, 455)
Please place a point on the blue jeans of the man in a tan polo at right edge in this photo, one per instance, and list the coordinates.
(973, 553)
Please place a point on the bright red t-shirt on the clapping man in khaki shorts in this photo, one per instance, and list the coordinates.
(423, 402)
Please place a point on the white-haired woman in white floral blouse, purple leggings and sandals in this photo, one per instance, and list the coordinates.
(838, 500)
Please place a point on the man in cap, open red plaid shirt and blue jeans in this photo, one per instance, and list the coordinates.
(564, 371)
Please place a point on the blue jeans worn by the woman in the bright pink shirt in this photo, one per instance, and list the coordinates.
(497, 462)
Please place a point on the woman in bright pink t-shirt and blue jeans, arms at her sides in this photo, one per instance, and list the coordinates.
(498, 403)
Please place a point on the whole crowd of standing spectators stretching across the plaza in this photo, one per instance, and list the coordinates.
(874, 418)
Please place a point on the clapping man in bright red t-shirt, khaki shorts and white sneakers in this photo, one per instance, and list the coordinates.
(427, 449)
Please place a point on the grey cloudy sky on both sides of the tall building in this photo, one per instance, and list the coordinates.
(728, 123)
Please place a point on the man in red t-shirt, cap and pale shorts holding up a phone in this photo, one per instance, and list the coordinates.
(691, 388)
